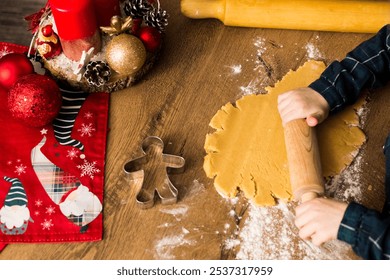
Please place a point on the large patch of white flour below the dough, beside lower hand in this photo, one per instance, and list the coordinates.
(269, 233)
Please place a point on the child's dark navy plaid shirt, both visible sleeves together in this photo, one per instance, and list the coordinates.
(367, 66)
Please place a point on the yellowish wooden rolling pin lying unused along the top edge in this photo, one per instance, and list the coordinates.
(323, 15)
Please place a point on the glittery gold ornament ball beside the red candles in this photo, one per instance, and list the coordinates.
(125, 54)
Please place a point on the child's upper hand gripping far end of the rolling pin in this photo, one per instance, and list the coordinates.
(303, 103)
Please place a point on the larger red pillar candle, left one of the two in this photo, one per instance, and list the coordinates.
(77, 26)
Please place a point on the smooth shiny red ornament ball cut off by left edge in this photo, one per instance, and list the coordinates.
(12, 67)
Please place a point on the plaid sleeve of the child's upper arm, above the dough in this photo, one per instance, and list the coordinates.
(367, 66)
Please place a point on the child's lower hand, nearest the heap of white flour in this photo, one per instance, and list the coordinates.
(319, 219)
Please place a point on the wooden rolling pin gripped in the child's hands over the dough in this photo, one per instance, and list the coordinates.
(303, 160)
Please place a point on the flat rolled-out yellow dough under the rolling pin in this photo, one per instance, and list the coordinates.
(246, 152)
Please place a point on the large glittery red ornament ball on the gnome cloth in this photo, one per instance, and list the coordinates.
(35, 100)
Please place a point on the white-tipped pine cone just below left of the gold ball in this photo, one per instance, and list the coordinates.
(97, 73)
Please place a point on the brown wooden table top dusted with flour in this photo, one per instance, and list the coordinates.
(204, 65)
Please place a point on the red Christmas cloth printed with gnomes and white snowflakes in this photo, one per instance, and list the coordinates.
(52, 177)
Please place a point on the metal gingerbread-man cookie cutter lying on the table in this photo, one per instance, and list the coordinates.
(155, 166)
